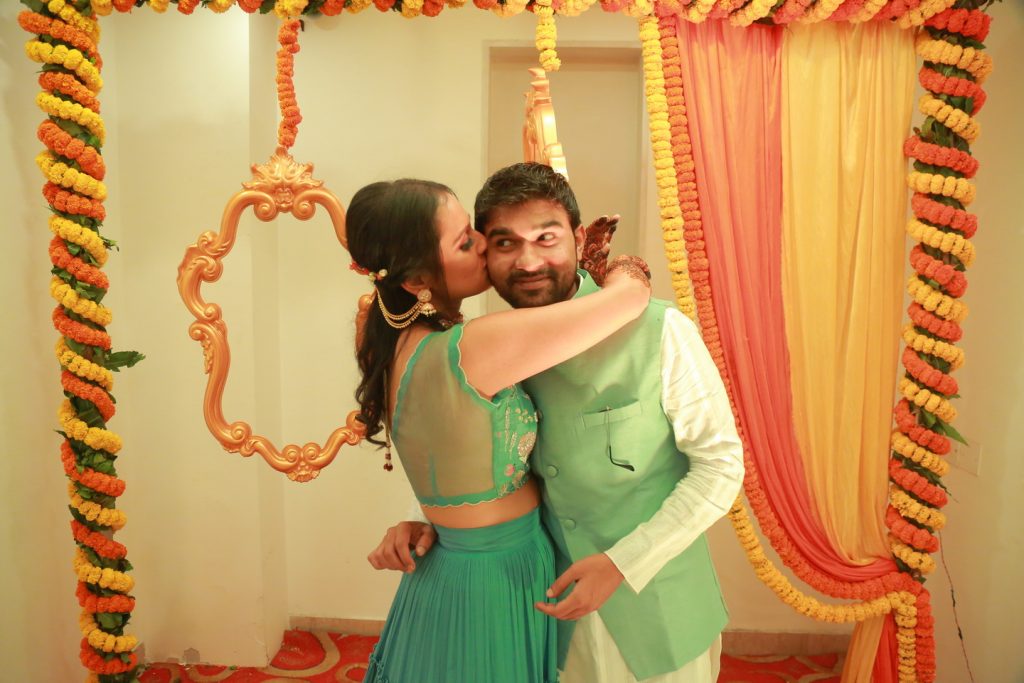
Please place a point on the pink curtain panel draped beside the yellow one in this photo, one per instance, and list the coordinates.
(733, 86)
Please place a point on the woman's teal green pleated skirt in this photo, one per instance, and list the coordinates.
(467, 616)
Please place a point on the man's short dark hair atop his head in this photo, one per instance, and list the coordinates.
(522, 183)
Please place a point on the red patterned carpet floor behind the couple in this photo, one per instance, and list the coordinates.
(331, 658)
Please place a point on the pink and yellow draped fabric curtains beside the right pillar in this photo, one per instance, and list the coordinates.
(742, 87)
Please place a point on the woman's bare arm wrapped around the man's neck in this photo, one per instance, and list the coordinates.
(500, 350)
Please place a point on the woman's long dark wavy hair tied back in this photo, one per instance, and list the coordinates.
(392, 227)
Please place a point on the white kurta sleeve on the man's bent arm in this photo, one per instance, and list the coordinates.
(695, 401)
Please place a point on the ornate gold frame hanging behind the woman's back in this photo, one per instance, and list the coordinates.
(281, 186)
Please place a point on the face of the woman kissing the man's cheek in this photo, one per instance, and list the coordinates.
(462, 251)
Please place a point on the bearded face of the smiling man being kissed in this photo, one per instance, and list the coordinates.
(533, 251)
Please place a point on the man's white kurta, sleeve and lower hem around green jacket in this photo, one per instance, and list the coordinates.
(695, 401)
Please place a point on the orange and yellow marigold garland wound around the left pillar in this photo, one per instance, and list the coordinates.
(66, 42)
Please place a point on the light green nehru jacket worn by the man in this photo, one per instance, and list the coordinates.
(608, 457)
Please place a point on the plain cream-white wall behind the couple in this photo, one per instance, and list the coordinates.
(225, 548)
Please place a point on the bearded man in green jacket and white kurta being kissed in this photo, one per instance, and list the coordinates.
(637, 453)
